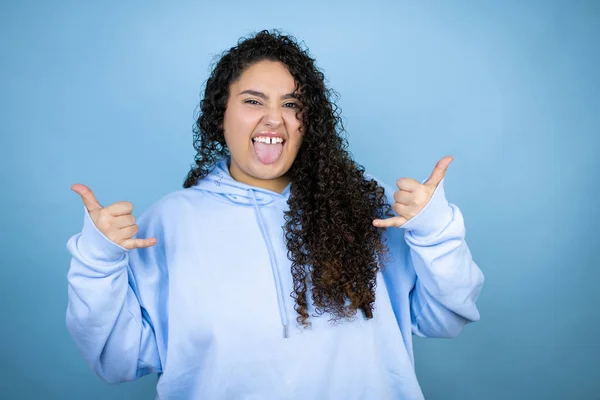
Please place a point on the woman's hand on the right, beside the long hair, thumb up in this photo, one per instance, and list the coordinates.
(412, 196)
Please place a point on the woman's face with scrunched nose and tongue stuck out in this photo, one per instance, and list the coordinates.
(261, 129)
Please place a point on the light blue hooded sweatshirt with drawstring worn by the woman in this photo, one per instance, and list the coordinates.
(209, 306)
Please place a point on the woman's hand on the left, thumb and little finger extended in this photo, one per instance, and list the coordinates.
(114, 221)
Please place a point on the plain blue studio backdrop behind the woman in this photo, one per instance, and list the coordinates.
(105, 94)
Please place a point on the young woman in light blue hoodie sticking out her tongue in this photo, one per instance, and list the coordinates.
(278, 271)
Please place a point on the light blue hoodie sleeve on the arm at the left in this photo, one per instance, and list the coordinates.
(106, 316)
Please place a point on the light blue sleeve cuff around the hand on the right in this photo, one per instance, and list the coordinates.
(434, 217)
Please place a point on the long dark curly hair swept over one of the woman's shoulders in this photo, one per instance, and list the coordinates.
(331, 241)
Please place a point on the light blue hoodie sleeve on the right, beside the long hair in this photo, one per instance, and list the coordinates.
(448, 282)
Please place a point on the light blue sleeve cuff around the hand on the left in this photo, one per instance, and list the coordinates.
(95, 246)
